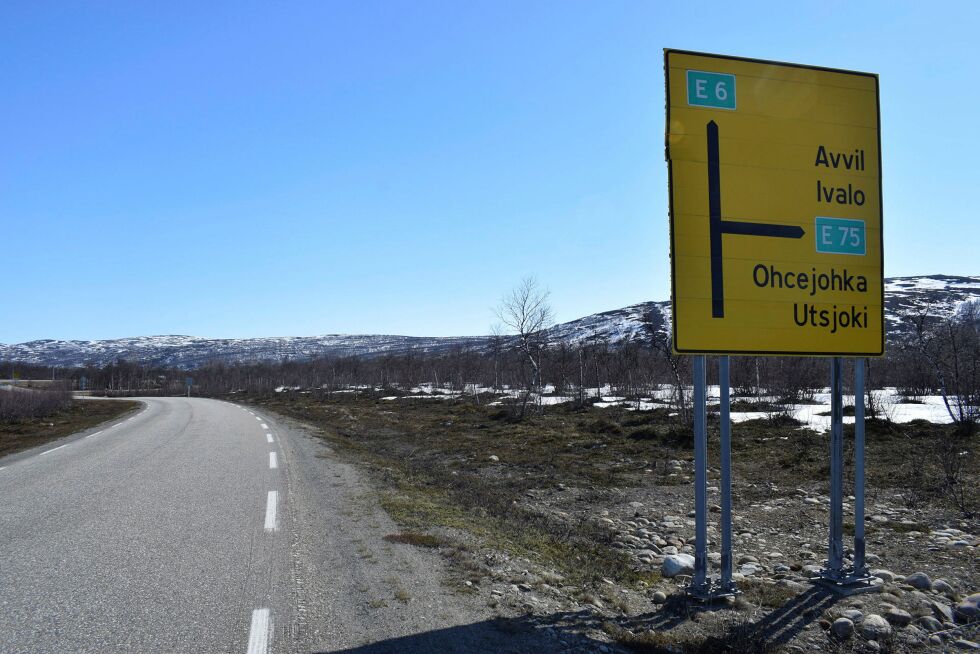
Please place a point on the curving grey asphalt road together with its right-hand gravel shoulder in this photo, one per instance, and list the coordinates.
(203, 526)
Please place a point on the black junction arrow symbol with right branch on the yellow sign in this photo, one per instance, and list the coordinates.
(719, 226)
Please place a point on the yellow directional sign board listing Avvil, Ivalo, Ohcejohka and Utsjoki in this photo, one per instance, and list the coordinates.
(775, 207)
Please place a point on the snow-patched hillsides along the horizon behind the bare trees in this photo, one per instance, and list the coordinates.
(935, 295)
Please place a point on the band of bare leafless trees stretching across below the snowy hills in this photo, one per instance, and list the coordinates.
(941, 356)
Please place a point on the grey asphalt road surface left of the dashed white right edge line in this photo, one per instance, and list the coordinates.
(149, 535)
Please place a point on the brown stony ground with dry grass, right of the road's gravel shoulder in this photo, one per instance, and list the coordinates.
(566, 515)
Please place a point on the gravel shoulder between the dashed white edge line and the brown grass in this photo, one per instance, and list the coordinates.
(357, 591)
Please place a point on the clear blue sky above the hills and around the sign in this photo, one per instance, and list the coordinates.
(255, 169)
